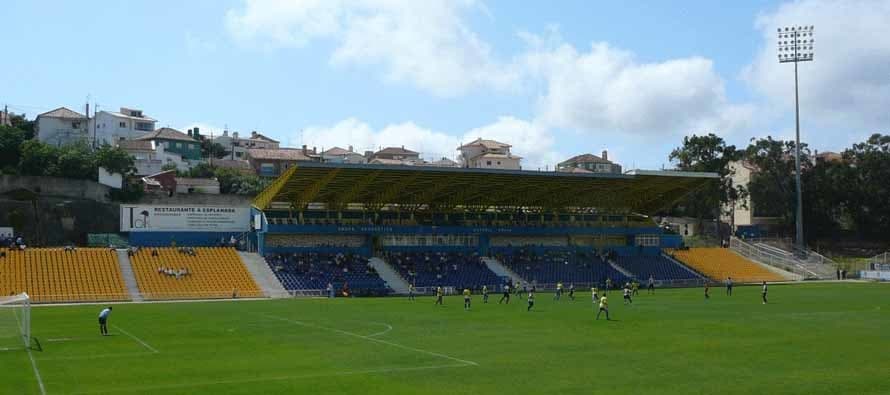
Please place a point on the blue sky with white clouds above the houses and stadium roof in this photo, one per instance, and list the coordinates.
(554, 79)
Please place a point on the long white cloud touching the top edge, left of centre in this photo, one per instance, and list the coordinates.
(425, 43)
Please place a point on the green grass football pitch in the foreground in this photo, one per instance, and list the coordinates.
(811, 339)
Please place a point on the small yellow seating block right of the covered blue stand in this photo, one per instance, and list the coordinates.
(720, 263)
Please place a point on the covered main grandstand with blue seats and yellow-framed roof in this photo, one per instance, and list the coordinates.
(433, 225)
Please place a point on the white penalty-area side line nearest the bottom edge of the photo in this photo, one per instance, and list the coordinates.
(267, 379)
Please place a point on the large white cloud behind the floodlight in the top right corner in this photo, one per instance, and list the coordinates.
(847, 83)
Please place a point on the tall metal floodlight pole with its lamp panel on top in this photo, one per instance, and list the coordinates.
(795, 44)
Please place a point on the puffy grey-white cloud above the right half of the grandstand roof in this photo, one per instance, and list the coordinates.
(606, 90)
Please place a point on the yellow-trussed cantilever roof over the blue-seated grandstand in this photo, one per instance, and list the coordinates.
(445, 188)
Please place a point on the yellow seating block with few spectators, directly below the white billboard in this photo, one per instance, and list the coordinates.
(213, 273)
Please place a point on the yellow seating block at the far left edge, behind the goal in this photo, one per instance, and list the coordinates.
(56, 275)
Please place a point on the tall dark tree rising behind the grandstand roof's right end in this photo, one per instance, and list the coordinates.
(708, 153)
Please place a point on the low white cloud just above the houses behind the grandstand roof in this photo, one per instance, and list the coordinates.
(531, 141)
